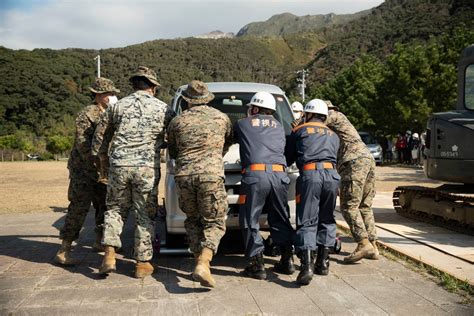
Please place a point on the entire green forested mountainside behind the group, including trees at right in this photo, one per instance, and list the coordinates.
(42, 90)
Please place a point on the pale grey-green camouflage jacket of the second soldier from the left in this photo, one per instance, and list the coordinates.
(135, 129)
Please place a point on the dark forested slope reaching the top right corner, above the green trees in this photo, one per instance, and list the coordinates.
(394, 21)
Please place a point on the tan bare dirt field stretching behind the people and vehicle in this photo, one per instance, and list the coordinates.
(36, 186)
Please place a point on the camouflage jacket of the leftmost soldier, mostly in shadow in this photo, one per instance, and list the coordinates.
(80, 159)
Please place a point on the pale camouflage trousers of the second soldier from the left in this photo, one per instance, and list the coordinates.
(132, 189)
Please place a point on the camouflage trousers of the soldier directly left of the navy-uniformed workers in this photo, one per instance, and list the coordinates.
(204, 201)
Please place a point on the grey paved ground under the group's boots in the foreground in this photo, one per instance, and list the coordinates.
(31, 284)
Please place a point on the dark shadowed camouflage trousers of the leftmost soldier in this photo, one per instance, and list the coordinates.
(83, 190)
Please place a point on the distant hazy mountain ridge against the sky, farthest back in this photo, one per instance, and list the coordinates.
(287, 23)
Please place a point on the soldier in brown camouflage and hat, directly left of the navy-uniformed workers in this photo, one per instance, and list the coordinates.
(198, 139)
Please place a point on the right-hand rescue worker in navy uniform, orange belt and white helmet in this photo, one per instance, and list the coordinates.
(314, 148)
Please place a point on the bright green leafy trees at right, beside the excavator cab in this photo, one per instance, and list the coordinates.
(400, 93)
